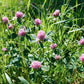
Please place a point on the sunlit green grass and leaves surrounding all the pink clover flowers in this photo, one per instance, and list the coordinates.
(66, 32)
